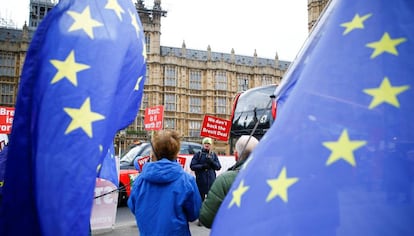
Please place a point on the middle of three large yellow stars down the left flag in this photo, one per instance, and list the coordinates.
(68, 69)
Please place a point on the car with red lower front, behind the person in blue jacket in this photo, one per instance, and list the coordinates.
(135, 157)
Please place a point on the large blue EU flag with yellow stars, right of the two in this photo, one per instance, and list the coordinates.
(339, 159)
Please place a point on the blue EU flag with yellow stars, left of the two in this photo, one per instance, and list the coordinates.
(82, 81)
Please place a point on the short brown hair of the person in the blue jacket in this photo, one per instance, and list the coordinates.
(166, 144)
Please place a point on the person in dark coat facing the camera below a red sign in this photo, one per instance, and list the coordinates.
(204, 164)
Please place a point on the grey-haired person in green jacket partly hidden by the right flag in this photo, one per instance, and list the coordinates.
(218, 191)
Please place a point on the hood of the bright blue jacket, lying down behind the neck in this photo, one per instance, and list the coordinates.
(162, 171)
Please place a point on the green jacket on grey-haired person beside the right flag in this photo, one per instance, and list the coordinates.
(216, 195)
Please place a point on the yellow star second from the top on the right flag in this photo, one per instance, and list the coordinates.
(385, 44)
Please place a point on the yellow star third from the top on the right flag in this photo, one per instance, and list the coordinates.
(385, 93)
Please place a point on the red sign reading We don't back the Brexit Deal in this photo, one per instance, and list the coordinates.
(216, 128)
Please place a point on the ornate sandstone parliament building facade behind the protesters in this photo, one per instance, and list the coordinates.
(188, 83)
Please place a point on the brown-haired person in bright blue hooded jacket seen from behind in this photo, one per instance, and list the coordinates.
(164, 198)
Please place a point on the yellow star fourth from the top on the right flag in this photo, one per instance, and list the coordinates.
(343, 149)
